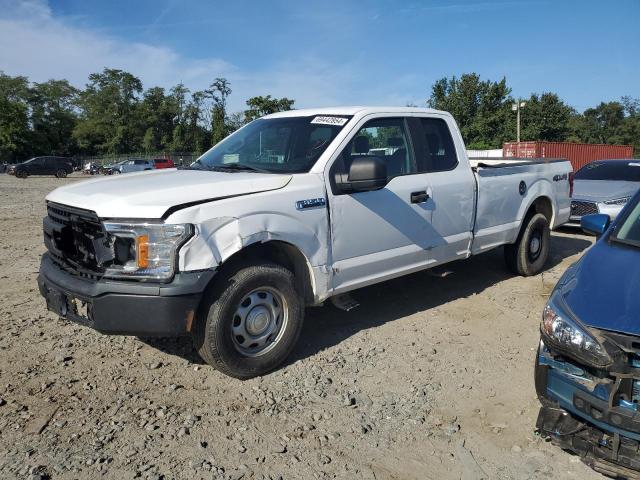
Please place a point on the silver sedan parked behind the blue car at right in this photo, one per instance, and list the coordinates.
(603, 186)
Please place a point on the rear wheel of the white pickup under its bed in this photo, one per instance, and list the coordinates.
(529, 254)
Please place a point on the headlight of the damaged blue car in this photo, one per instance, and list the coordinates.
(561, 330)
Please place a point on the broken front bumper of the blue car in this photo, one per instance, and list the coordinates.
(591, 413)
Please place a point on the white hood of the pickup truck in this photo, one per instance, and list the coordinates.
(151, 194)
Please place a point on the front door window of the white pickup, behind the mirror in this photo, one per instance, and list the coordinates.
(385, 138)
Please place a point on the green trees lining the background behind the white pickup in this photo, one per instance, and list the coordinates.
(113, 114)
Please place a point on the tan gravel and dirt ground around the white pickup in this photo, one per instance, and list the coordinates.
(431, 378)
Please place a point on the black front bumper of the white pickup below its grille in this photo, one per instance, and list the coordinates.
(124, 307)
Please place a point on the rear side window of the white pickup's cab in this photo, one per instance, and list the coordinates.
(435, 151)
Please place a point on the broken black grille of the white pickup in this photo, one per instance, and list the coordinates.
(76, 240)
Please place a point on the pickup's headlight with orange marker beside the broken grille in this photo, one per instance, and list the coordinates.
(145, 250)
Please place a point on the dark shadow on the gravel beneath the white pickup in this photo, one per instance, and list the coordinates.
(389, 301)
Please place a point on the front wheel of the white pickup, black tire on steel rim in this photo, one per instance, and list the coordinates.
(214, 337)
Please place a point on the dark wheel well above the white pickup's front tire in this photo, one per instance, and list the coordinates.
(278, 252)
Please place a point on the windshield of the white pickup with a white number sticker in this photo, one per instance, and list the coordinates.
(287, 145)
